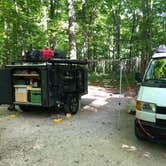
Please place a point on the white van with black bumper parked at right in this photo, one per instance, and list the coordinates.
(150, 120)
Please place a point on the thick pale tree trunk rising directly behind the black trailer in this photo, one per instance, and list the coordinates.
(72, 42)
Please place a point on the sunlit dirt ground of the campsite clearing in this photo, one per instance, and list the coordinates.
(101, 134)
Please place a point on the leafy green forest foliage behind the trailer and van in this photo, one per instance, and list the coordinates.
(141, 26)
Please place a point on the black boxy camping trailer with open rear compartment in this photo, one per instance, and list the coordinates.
(57, 83)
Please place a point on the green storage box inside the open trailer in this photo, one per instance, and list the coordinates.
(35, 95)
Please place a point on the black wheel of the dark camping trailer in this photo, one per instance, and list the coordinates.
(72, 104)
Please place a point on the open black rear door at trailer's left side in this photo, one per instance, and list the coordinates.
(5, 86)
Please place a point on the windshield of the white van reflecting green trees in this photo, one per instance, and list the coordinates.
(156, 72)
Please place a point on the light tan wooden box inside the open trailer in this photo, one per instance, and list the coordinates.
(21, 93)
